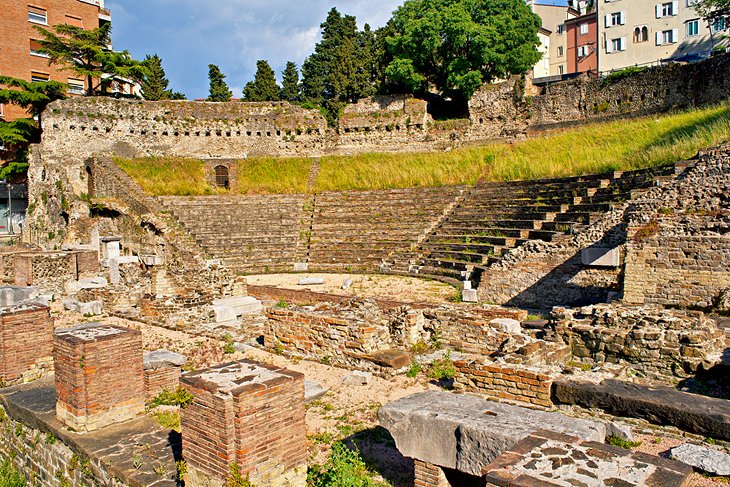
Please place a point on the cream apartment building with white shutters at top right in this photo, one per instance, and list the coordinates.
(646, 32)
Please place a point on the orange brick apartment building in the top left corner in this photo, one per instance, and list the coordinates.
(19, 41)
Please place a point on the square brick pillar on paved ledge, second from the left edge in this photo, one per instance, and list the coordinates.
(99, 375)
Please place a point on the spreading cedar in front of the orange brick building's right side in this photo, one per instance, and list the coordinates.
(87, 53)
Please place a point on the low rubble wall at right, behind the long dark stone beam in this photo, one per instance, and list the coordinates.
(656, 341)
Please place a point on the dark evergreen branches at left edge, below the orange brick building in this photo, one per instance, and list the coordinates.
(18, 134)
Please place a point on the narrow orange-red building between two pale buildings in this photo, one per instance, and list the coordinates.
(582, 43)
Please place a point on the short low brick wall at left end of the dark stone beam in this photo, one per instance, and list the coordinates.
(506, 383)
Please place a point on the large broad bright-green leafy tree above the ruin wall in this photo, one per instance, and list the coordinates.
(457, 45)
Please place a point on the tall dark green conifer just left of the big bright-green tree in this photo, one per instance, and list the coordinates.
(340, 69)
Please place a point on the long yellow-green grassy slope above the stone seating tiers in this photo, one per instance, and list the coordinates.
(593, 148)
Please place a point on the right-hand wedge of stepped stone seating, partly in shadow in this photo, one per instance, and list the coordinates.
(494, 218)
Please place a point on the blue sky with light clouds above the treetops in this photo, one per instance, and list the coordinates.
(234, 34)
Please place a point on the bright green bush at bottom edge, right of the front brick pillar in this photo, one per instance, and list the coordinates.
(344, 468)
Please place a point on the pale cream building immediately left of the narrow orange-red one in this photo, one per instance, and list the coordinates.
(553, 38)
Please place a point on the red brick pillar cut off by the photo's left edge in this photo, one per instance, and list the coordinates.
(26, 342)
